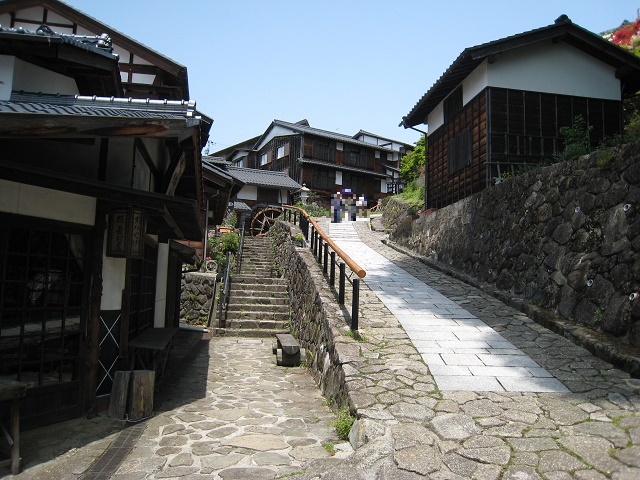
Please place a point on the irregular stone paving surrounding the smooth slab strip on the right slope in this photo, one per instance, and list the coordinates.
(409, 429)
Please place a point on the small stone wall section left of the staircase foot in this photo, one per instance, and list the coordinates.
(196, 296)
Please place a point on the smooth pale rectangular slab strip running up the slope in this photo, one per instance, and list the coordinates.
(464, 345)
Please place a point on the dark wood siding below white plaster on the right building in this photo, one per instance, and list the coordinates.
(510, 129)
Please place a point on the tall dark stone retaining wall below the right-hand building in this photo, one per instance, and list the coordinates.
(564, 238)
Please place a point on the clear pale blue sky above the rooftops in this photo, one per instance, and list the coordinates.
(343, 65)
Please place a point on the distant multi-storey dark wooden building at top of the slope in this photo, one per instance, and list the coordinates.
(326, 162)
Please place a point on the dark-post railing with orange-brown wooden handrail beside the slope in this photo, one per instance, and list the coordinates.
(329, 256)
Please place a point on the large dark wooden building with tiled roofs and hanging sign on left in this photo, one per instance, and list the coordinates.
(96, 186)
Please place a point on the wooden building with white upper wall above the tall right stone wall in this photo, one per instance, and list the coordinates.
(501, 105)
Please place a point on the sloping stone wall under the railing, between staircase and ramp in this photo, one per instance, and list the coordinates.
(318, 328)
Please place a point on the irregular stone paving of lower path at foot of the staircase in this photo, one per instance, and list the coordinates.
(234, 415)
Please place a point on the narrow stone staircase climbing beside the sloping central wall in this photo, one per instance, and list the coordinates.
(259, 298)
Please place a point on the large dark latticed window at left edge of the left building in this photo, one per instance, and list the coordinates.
(41, 301)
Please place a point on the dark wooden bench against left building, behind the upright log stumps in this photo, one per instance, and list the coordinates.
(154, 343)
